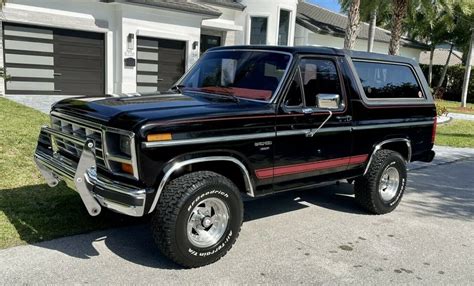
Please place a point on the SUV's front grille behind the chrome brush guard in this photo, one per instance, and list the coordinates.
(83, 131)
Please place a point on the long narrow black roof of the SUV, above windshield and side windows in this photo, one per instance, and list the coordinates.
(320, 51)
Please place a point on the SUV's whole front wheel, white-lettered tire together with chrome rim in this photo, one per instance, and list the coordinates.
(198, 218)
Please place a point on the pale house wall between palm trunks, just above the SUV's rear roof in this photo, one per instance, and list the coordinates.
(304, 36)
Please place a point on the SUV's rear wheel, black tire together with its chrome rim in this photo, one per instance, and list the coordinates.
(381, 189)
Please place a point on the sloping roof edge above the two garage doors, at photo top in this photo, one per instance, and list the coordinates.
(180, 5)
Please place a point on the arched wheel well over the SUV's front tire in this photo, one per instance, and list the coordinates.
(225, 168)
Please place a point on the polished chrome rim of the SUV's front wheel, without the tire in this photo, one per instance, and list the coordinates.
(207, 222)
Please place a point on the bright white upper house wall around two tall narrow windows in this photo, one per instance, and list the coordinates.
(271, 10)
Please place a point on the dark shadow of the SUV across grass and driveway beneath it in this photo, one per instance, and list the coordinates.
(132, 240)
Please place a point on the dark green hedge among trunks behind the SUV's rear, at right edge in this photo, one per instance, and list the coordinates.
(452, 82)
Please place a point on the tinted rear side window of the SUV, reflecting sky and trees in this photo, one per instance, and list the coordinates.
(387, 81)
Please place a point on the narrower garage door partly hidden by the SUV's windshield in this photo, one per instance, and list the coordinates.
(160, 63)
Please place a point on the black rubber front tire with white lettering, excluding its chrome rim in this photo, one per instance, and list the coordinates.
(175, 209)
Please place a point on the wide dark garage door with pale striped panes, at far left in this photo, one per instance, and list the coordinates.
(53, 61)
